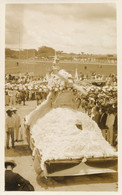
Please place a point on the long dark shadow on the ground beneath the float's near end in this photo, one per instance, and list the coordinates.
(77, 180)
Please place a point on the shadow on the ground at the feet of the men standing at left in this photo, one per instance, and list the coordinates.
(19, 150)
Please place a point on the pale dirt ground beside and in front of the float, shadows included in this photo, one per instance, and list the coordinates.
(22, 156)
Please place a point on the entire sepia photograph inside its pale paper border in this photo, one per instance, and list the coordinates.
(61, 113)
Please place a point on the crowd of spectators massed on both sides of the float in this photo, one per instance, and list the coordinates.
(100, 103)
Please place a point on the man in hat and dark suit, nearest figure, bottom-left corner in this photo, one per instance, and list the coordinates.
(14, 181)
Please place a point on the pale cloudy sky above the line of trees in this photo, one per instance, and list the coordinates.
(88, 28)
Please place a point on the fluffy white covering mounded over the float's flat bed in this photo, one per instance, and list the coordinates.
(57, 137)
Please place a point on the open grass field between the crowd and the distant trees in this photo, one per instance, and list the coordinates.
(40, 68)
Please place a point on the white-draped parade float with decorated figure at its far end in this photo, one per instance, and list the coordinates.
(65, 141)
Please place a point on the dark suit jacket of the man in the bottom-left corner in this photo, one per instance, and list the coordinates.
(13, 181)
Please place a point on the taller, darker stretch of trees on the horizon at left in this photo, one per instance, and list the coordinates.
(43, 51)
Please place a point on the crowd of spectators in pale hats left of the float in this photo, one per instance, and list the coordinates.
(19, 89)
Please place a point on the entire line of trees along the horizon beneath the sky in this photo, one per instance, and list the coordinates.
(49, 53)
